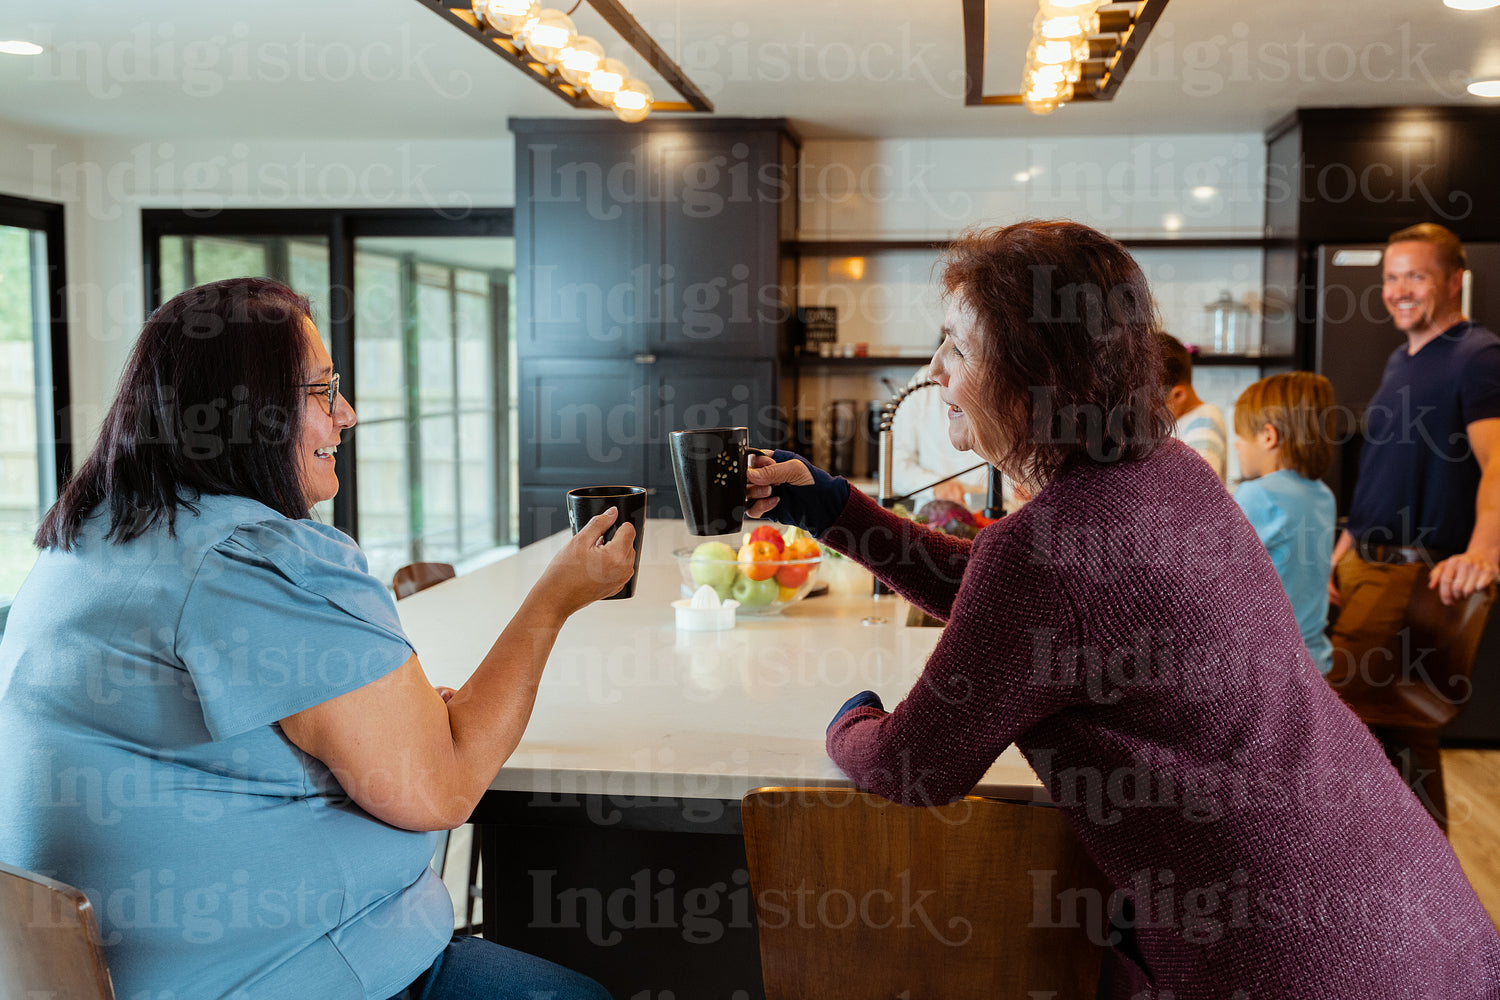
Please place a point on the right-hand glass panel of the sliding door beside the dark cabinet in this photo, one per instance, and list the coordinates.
(436, 398)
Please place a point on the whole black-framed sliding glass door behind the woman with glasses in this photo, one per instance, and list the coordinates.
(416, 313)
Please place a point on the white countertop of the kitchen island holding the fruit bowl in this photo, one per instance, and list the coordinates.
(631, 707)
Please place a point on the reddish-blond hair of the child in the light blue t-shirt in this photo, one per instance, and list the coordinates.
(1300, 406)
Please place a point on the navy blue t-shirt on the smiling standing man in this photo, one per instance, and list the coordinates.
(1418, 476)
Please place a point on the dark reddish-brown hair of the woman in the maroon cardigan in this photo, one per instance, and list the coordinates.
(1069, 341)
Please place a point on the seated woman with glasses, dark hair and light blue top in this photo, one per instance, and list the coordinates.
(214, 723)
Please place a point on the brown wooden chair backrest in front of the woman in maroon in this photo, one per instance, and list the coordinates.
(859, 897)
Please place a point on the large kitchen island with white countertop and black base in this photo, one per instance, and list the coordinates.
(613, 840)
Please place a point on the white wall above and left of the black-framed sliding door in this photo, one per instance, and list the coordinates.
(104, 185)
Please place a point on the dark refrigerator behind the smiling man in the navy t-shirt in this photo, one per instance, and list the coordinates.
(1352, 343)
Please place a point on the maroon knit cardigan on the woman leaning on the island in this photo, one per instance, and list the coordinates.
(1127, 630)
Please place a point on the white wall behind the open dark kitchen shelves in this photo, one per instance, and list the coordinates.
(1132, 187)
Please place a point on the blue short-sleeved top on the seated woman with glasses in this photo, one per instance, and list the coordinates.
(140, 690)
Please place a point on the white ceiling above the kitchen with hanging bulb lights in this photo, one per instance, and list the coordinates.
(359, 70)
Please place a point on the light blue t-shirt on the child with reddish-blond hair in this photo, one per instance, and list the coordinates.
(1294, 516)
